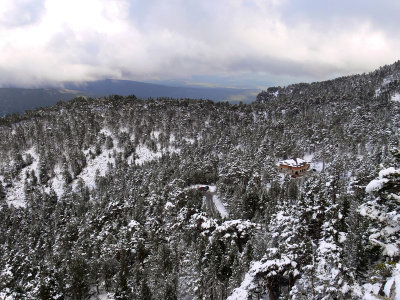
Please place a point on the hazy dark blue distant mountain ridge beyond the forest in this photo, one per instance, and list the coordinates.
(17, 100)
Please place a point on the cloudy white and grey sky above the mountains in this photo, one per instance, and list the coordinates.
(253, 43)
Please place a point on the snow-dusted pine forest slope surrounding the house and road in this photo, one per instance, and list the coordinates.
(101, 196)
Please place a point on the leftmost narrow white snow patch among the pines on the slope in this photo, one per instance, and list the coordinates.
(15, 194)
